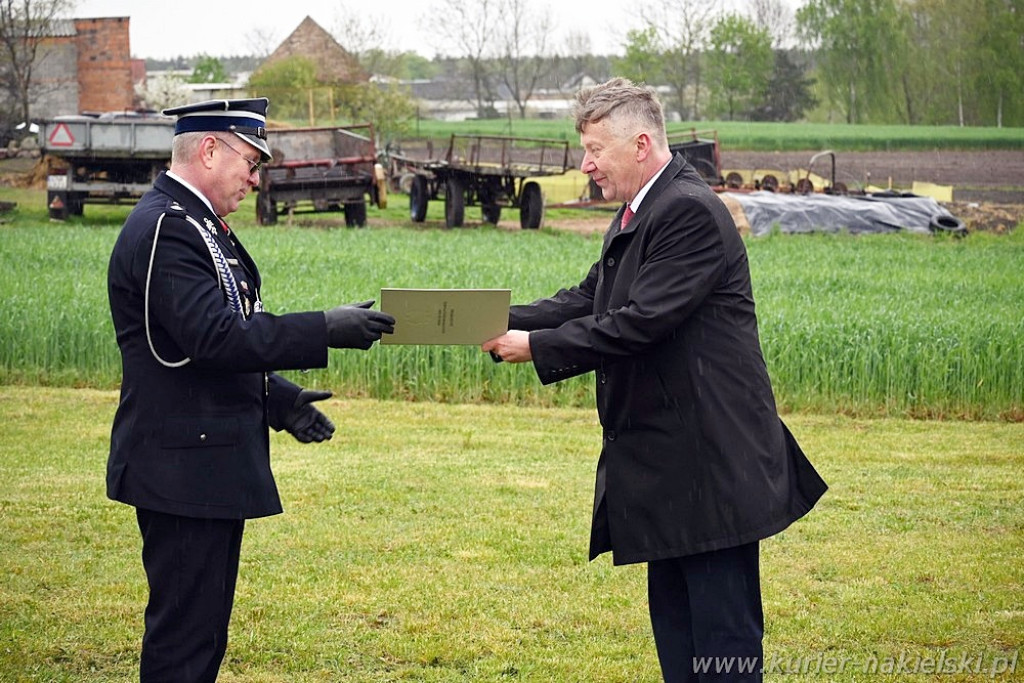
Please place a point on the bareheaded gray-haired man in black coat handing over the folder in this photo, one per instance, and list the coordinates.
(697, 467)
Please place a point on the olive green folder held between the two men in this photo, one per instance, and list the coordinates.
(446, 317)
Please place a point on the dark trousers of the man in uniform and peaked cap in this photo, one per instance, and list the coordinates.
(192, 567)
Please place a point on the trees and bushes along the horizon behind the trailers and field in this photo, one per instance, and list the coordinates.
(860, 62)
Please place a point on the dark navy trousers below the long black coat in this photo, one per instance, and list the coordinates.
(707, 616)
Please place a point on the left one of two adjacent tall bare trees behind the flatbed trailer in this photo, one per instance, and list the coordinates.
(472, 29)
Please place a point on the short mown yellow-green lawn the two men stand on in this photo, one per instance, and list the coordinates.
(434, 542)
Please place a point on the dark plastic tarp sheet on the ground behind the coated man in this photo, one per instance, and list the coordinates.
(832, 214)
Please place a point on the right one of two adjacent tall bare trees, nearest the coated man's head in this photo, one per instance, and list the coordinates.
(526, 59)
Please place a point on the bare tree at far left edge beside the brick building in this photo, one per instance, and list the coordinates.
(24, 27)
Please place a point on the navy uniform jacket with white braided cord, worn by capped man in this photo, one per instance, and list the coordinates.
(194, 440)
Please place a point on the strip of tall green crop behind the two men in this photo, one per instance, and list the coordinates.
(884, 325)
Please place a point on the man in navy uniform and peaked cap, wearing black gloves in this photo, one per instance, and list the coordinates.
(190, 446)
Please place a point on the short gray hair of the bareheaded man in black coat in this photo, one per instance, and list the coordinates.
(622, 102)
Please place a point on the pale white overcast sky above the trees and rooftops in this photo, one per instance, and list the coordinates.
(187, 28)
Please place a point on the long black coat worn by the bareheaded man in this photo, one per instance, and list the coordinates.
(695, 455)
